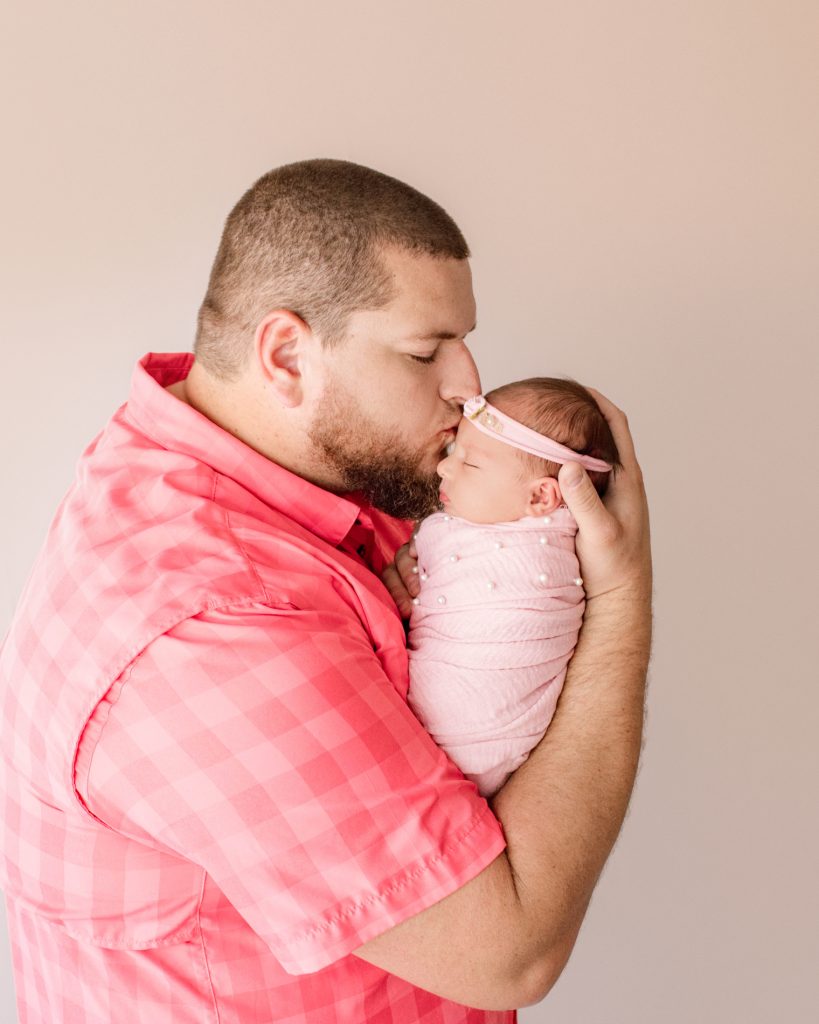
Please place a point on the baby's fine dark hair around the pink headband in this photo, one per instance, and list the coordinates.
(565, 411)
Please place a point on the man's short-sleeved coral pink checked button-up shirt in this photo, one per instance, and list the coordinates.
(213, 788)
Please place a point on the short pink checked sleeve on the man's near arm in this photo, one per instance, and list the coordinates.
(269, 747)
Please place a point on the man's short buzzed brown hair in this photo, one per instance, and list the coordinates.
(309, 237)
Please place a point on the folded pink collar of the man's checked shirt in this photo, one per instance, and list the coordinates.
(180, 428)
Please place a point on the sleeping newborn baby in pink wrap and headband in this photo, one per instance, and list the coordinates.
(502, 603)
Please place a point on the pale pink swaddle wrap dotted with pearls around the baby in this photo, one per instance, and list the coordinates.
(496, 624)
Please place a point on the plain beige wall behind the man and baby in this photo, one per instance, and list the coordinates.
(639, 184)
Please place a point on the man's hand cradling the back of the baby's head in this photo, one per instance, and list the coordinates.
(614, 535)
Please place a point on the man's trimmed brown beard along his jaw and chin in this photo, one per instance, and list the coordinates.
(372, 462)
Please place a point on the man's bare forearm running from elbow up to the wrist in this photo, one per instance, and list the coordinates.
(564, 808)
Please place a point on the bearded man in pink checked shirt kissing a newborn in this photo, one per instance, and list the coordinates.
(219, 806)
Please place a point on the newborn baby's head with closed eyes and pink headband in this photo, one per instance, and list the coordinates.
(498, 472)
